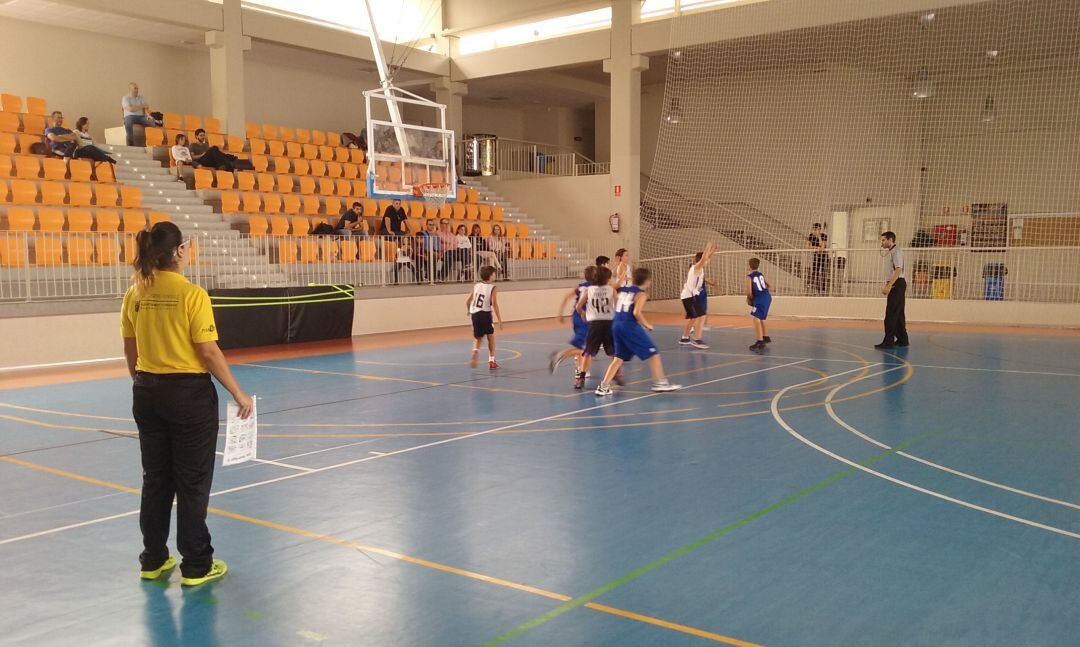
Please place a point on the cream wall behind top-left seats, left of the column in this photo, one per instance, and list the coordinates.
(85, 74)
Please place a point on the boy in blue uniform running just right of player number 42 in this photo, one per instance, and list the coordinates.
(629, 331)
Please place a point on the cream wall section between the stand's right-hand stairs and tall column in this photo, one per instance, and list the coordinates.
(574, 208)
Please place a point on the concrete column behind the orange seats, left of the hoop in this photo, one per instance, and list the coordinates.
(227, 70)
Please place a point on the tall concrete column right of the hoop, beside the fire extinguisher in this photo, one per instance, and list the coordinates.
(626, 115)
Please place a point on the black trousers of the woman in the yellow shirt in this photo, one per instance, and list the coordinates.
(178, 432)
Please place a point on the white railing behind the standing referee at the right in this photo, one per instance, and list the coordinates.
(1037, 275)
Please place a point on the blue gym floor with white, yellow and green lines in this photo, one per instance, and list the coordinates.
(822, 494)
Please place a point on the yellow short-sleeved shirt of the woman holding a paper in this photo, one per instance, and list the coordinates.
(167, 321)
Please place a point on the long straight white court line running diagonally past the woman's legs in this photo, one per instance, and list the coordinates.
(406, 451)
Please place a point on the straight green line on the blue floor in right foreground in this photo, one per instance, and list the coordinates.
(633, 575)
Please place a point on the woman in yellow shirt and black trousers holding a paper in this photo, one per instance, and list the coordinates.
(171, 346)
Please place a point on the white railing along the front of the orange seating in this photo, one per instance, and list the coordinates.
(62, 266)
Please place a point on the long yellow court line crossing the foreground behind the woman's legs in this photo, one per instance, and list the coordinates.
(400, 557)
